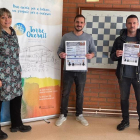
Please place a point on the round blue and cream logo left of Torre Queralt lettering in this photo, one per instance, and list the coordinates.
(19, 28)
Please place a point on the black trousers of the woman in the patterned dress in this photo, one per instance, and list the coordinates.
(15, 111)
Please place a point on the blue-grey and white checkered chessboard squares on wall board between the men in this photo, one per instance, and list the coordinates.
(104, 30)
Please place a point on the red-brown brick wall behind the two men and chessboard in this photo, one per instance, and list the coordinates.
(101, 90)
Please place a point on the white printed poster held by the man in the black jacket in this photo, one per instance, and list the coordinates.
(130, 54)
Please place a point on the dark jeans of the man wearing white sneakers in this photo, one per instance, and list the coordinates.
(79, 78)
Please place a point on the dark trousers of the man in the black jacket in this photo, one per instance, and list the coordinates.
(125, 85)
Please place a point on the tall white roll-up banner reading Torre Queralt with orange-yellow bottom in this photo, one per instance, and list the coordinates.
(38, 25)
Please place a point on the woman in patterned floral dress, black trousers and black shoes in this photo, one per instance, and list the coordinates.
(10, 73)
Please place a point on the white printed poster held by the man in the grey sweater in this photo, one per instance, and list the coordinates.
(76, 55)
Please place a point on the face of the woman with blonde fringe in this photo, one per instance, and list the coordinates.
(5, 20)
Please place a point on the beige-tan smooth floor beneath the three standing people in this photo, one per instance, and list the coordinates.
(100, 128)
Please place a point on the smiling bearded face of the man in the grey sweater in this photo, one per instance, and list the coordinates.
(79, 24)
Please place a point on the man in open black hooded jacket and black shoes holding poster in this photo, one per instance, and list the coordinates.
(127, 74)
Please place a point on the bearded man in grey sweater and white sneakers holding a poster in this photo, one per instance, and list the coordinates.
(78, 76)
